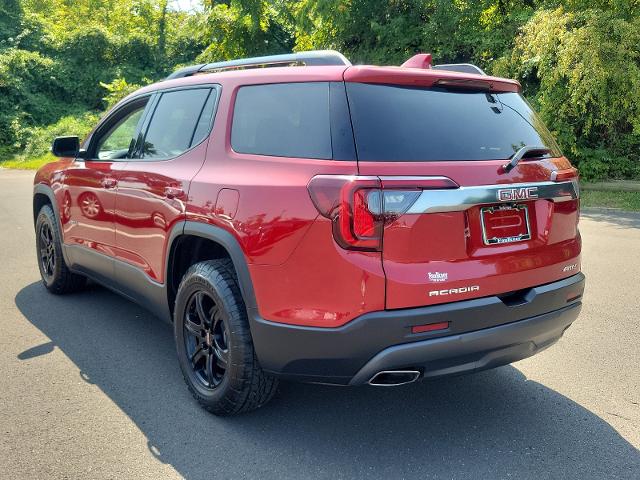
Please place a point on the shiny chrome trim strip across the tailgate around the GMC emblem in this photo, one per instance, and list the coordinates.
(463, 198)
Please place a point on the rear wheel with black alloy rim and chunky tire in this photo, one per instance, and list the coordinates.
(214, 344)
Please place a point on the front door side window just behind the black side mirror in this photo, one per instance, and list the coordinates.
(119, 139)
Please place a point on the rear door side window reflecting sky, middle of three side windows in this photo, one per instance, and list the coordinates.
(177, 119)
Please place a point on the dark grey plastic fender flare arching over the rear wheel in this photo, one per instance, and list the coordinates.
(229, 243)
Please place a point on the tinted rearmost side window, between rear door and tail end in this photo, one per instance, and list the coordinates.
(285, 120)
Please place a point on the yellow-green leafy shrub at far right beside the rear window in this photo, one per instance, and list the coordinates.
(583, 69)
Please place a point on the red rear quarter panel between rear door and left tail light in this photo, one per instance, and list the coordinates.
(300, 276)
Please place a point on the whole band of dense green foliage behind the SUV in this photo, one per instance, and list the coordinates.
(578, 60)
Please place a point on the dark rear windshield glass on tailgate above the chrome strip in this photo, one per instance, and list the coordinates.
(393, 123)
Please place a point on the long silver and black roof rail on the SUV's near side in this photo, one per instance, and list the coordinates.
(310, 58)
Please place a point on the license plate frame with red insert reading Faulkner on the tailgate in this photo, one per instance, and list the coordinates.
(505, 223)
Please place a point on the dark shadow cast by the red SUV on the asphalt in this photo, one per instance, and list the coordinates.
(495, 424)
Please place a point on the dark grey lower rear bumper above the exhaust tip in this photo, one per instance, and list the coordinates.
(483, 333)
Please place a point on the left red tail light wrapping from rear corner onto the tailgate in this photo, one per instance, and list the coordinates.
(360, 206)
